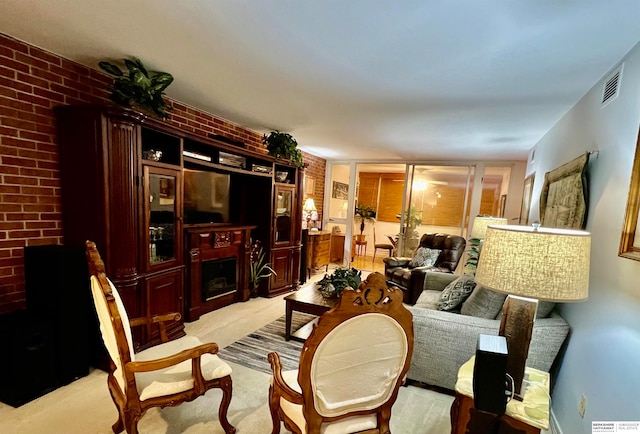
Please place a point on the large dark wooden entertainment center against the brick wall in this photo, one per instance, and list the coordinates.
(174, 215)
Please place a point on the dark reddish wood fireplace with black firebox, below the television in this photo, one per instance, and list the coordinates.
(218, 269)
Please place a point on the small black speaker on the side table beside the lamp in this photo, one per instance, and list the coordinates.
(490, 374)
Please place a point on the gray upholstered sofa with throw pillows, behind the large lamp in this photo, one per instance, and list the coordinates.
(444, 340)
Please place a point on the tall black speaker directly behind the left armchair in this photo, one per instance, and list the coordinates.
(58, 290)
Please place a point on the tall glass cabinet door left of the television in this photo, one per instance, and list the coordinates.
(162, 215)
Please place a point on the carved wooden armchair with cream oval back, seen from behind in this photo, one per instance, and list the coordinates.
(351, 366)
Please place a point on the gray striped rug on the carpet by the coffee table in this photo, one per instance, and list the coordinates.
(251, 351)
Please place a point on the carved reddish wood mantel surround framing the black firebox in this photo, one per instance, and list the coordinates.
(210, 243)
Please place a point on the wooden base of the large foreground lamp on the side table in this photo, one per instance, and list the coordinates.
(516, 325)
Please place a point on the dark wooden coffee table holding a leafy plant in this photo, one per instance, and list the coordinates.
(306, 300)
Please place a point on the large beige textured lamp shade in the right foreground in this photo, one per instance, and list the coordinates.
(543, 263)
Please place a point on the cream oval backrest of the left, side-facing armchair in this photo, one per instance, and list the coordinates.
(114, 322)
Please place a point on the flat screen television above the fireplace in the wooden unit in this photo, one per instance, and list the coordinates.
(207, 197)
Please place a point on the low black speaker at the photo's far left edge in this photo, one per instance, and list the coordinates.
(28, 355)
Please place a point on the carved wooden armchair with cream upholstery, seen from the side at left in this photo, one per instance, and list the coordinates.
(165, 375)
